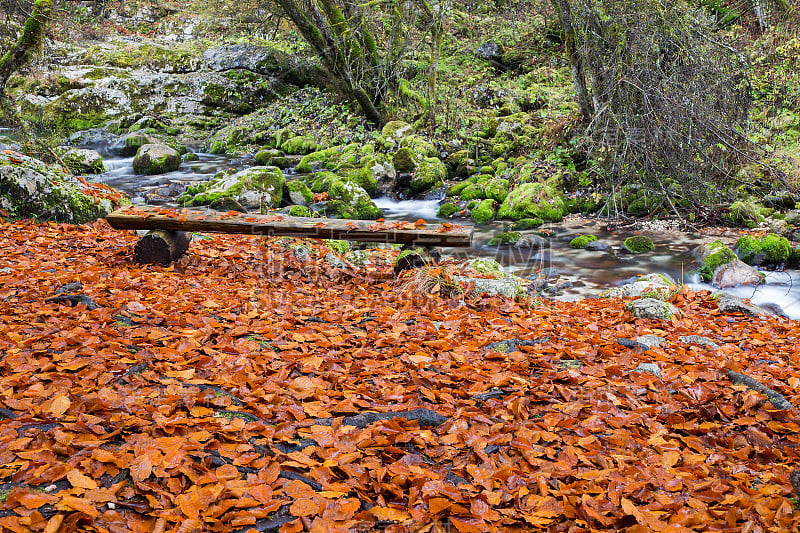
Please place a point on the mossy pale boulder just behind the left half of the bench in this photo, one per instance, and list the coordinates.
(254, 188)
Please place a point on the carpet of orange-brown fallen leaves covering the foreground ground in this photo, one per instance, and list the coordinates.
(221, 394)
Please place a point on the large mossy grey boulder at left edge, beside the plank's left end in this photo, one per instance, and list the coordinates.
(31, 188)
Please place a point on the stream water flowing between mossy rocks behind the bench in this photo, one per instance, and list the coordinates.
(581, 273)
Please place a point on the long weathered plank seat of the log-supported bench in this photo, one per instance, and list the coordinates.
(153, 217)
